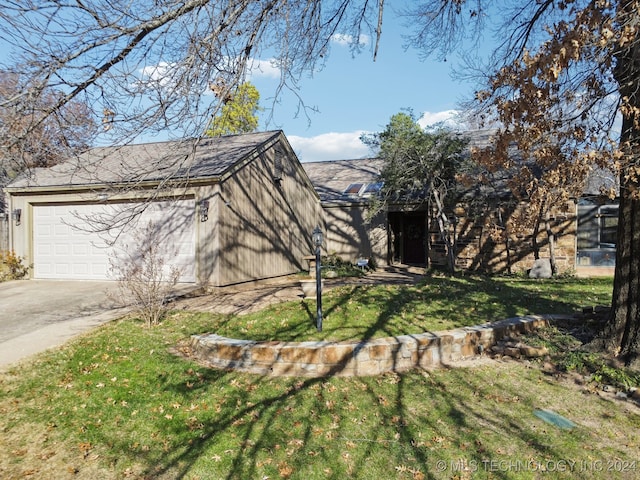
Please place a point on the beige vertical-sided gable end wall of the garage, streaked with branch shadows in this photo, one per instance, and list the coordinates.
(265, 225)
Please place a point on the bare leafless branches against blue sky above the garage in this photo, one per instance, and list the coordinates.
(150, 66)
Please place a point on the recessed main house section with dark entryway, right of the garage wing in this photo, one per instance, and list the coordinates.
(408, 234)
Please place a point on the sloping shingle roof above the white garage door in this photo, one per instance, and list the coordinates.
(187, 159)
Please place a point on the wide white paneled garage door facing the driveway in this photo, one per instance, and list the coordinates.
(66, 246)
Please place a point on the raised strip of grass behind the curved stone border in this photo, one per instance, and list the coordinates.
(438, 303)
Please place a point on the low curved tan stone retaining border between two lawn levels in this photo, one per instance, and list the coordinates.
(360, 358)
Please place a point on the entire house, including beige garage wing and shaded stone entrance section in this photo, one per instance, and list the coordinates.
(238, 208)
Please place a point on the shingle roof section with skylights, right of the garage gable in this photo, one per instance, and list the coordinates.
(332, 178)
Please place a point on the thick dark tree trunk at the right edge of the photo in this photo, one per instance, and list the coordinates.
(621, 335)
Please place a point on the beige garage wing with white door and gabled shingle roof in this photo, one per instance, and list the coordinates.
(223, 210)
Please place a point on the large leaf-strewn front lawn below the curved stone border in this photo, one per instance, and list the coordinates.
(116, 403)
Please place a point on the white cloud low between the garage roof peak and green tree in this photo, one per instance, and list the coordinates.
(329, 146)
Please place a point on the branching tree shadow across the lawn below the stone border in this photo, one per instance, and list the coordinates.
(376, 427)
